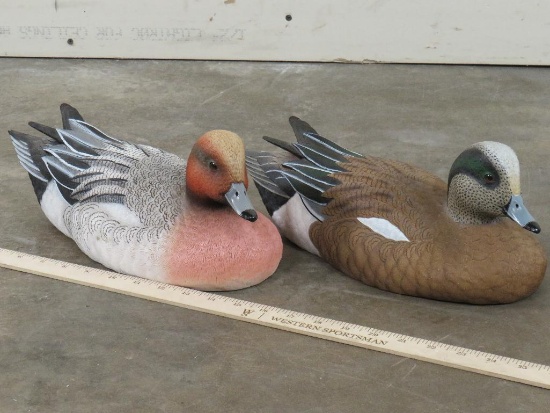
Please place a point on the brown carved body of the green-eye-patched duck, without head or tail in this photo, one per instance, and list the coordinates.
(481, 264)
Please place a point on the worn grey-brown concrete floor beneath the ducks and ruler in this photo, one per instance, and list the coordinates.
(68, 348)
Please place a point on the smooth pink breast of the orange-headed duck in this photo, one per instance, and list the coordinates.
(215, 249)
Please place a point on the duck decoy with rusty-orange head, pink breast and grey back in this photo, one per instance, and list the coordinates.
(142, 211)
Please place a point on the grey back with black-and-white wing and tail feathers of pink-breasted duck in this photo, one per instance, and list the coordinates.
(90, 166)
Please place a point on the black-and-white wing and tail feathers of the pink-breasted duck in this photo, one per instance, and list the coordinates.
(82, 160)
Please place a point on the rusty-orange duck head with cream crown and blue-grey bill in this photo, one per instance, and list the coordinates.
(216, 171)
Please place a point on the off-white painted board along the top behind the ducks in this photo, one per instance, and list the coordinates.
(421, 31)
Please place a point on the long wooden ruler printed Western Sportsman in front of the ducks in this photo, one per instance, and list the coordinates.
(306, 324)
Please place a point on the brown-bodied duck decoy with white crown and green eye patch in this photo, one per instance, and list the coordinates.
(398, 228)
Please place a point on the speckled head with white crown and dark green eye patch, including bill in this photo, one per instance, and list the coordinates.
(484, 184)
